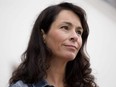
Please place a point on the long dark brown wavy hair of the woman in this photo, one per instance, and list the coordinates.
(35, 58)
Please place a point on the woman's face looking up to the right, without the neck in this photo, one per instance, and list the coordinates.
(64, 37)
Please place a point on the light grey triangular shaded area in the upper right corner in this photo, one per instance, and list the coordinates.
(105, 7)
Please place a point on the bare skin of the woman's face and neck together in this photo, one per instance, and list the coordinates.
(64, 39)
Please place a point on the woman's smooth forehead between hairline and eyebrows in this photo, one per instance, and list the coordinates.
(68, 16)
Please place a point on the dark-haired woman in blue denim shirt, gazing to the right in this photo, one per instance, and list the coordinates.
(56, 54)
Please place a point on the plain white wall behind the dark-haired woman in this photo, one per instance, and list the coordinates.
(16, 21)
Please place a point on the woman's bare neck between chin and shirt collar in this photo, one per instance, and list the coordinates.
(56, 73)
